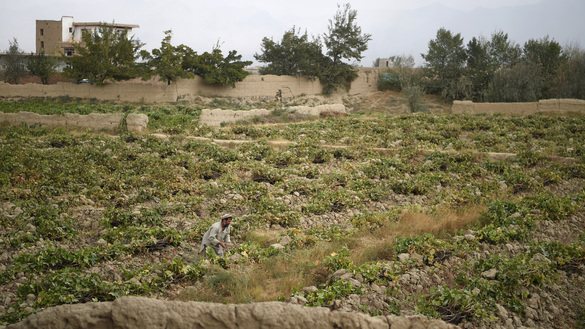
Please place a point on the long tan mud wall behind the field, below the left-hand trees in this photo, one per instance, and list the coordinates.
(188, 89)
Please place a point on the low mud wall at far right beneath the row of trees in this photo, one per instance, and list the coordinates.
(562, 106)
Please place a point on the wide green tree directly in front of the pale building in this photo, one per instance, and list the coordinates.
(104, 55)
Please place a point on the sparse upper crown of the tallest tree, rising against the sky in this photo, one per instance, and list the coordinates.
(345, 39)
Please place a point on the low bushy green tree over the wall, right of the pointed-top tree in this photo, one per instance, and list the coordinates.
(214, 68)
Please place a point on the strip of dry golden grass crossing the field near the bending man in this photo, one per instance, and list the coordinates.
(277, 276)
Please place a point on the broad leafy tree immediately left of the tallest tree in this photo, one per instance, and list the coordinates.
(294, 55)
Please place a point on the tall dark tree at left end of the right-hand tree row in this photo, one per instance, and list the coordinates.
(445, 65)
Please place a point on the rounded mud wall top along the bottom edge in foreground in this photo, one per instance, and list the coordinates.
(139, 312)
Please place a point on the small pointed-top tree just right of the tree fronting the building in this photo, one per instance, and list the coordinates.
(166, 61)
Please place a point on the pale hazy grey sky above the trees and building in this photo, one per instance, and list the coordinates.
(397, 26)
